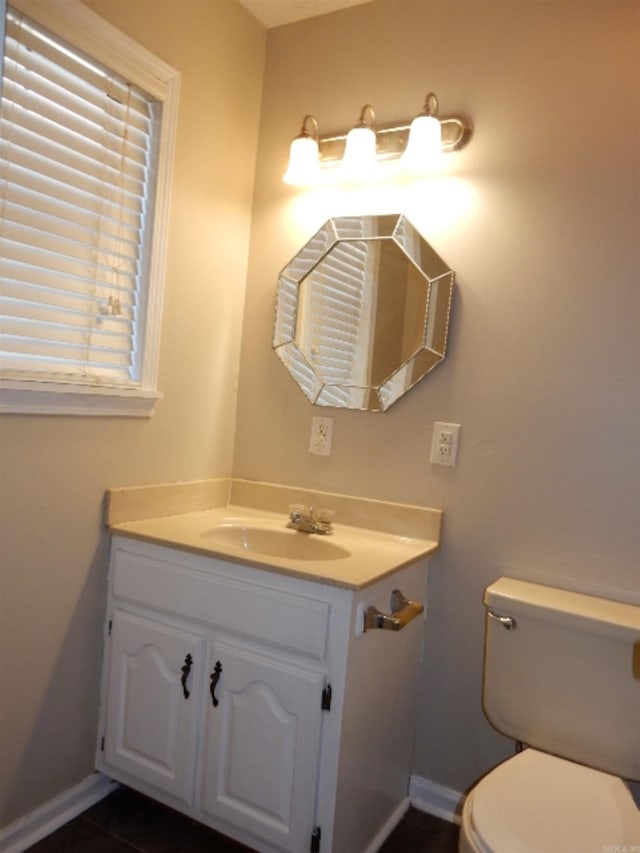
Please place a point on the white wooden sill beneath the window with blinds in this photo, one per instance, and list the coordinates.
(48, 398)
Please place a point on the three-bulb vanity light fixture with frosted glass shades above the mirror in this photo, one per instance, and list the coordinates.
(417, 144)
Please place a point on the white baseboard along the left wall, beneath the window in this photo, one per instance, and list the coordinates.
(44, 820)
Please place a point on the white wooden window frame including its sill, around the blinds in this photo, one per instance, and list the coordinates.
(88, 32)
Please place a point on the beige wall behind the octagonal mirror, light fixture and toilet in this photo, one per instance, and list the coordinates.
(539, 217)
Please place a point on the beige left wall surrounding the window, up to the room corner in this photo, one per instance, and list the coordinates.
(54, 470)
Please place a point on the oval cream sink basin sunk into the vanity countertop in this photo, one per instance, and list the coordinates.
(273, 542)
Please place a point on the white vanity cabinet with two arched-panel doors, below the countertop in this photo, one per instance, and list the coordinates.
(252, 701)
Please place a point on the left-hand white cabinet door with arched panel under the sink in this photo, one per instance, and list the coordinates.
(154, 684)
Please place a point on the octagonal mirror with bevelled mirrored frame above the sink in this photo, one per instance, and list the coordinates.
(362, 312)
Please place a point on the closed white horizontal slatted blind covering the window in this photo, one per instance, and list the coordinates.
(77, 149)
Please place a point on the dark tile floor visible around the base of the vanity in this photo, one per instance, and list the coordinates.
(126, 821)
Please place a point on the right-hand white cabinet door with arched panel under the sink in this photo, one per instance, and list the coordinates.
(262, 742)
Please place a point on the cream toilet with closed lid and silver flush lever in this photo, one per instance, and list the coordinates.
(562, 676)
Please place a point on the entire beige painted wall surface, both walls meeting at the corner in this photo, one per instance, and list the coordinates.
(539, 217)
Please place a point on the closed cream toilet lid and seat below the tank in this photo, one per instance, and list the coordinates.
(538, 803)
